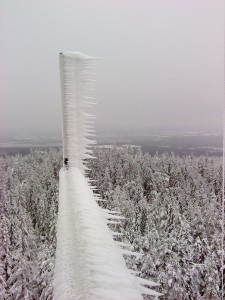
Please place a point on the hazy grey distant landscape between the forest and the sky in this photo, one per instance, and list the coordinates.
(181, 144)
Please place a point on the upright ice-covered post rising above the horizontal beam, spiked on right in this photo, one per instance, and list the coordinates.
(75, 88)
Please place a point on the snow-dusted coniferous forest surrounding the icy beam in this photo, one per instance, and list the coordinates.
(172, 207)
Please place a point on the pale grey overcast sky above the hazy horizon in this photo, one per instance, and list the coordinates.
(161, 68)
